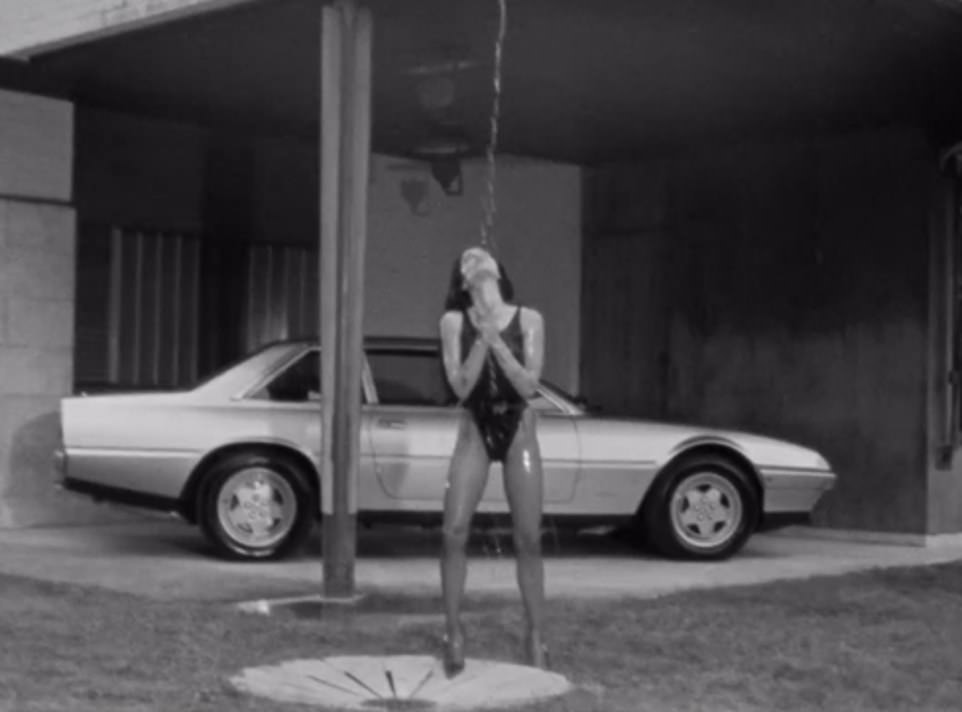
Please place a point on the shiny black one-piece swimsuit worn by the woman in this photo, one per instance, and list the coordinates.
(495, 404)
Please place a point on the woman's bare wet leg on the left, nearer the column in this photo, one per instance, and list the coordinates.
(467, 478)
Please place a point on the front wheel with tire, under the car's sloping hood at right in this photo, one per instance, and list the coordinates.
(703, 507)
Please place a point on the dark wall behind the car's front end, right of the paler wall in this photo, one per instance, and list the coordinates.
(796, 278)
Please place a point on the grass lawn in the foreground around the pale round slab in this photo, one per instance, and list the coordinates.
(877, 641)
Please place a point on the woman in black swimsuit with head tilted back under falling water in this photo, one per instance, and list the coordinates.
(493, 356)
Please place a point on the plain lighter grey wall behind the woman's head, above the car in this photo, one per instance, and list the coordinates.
(537, 233)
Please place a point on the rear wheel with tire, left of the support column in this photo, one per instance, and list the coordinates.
(255, 506)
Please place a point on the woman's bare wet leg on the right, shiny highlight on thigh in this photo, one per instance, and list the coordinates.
(524, 486)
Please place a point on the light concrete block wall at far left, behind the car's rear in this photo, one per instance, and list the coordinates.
(37, 245)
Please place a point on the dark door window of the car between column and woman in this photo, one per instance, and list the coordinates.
(413, 378)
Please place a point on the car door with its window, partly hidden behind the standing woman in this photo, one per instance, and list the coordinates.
(414, 427)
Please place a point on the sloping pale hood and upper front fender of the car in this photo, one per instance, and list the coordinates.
(658, 442)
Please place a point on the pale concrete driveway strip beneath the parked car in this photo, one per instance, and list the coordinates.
(166, 559)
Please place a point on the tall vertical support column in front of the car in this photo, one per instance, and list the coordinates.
(345, 128)
